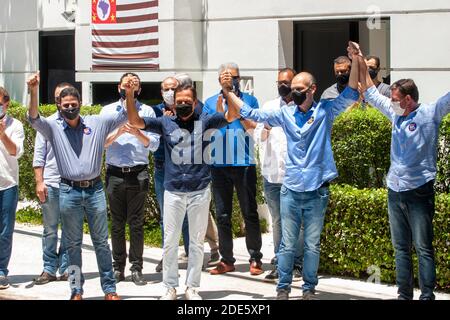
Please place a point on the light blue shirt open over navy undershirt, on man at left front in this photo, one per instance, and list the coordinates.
(78, 151)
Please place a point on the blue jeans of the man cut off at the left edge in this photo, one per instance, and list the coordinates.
(8, 206)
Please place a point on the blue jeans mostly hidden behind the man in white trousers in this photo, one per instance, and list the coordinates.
(159, 191)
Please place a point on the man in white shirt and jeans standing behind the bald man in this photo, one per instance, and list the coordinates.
(272, 152)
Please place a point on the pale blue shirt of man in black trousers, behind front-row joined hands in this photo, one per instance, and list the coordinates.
(127, 150)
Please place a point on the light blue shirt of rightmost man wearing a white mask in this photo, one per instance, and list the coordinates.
(414, 141)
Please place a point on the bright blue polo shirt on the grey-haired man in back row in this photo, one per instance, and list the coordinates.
(232, 146)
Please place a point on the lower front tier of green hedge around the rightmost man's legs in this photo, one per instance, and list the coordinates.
(356, 235)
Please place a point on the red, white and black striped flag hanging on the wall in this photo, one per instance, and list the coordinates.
(125, 35)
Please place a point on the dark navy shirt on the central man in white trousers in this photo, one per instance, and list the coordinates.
(186, 166)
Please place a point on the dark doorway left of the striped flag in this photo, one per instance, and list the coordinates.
(56, 62)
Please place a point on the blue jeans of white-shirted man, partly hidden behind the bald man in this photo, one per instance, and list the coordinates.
(272, 196)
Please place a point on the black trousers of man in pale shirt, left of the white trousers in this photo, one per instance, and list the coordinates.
(126, 196)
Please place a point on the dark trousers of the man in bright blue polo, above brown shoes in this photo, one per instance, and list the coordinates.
(243, 179)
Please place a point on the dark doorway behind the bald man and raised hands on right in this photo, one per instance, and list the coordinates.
(317, 44)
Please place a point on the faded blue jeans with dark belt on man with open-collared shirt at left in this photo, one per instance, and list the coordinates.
(75, 203)
